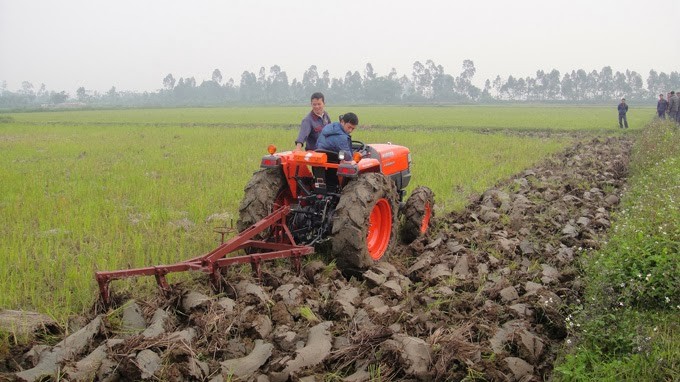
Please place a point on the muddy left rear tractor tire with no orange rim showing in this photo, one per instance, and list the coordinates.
(266, 188)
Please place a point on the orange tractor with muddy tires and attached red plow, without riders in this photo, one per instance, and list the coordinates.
(300, 199)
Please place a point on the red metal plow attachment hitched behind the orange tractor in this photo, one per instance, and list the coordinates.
(279, 245)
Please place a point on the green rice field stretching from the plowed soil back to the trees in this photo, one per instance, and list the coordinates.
(82, 191)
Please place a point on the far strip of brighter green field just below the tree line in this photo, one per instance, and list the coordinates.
(521, 117)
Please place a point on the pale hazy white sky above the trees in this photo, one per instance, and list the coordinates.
(134, 44)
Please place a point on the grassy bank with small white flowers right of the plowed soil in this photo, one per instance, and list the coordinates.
(627, 329)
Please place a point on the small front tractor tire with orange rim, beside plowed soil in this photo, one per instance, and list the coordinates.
(417, 214)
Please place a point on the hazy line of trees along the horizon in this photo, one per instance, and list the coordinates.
(428, 83)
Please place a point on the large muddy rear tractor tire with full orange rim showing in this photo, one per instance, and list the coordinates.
(365, 224)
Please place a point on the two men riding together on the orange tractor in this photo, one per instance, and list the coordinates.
(318, 133)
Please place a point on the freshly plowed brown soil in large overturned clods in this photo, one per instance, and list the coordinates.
(484, 296)
